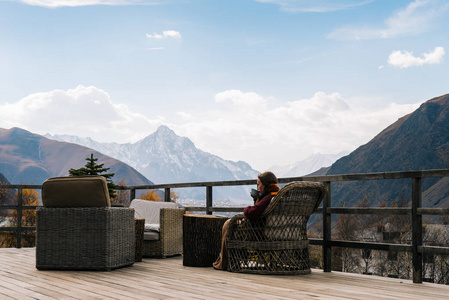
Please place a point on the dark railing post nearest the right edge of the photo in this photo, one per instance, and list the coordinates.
(416, 229)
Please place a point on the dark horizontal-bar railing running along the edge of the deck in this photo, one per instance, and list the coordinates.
(416, 211)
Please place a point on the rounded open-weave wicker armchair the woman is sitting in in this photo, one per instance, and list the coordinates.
(277, 242)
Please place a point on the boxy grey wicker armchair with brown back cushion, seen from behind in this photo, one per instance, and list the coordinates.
(78, 230)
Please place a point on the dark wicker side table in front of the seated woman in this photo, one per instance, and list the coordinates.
(201, 239)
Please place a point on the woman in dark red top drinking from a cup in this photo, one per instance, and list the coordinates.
(268, 188)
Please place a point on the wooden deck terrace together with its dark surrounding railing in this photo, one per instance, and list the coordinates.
(169, 279)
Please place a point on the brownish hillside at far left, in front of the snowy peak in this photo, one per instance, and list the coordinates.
(30, 159)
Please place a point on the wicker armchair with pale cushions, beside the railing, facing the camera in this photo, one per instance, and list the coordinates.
(163, 227)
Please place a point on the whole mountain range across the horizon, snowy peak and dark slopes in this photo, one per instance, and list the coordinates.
(418, 141)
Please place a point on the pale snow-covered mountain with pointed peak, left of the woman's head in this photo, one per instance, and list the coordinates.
(168, 158)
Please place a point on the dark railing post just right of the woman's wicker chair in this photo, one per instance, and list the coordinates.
(327, 249)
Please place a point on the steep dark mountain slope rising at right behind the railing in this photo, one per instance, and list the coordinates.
(418, 141)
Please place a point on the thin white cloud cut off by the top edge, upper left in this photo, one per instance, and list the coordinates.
(74, 3)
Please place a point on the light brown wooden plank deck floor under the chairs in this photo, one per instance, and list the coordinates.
(169, 279)
